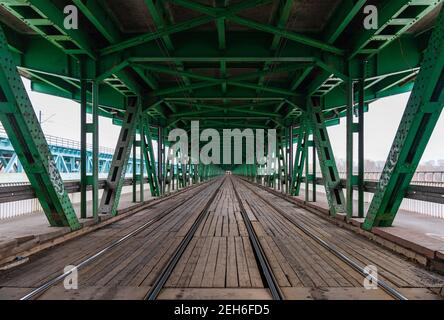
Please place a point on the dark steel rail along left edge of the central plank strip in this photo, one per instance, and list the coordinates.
(177, 254)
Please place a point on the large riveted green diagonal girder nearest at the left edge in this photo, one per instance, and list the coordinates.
(26, 136)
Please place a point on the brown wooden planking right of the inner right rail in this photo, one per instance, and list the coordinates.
(299, 261)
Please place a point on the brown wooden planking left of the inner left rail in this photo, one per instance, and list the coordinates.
(136, 263)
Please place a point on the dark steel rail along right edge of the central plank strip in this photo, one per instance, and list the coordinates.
(266, 269)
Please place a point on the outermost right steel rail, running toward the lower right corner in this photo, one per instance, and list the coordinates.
(353, 264)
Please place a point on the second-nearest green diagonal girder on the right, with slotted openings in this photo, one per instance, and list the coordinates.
(332, 183)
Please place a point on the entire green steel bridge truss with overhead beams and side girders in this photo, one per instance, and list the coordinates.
(249, 64)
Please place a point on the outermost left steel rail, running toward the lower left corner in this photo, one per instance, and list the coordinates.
(47, 285)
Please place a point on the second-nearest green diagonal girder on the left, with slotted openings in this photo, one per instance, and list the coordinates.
(114, 182)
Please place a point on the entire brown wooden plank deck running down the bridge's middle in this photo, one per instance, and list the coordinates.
(219, 261)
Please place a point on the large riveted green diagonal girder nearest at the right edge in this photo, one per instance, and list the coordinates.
(420, 116)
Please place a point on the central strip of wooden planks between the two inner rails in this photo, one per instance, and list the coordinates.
(220, 255)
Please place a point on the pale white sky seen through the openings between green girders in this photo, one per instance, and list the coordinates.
(61, 117)
